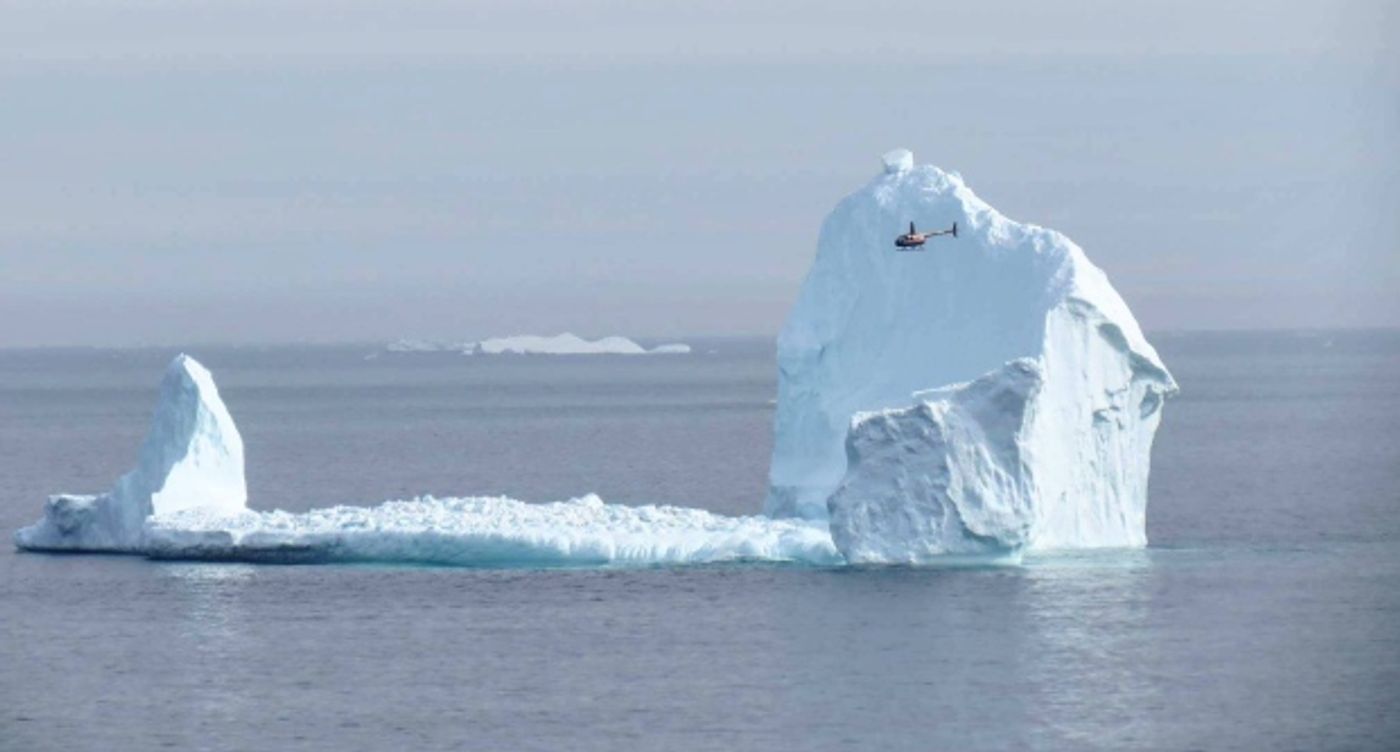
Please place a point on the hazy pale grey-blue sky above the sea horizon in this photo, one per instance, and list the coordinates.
(237, 172)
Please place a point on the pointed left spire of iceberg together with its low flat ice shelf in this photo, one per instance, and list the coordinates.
(187, 501)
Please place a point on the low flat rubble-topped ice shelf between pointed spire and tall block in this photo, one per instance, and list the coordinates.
(491, 533)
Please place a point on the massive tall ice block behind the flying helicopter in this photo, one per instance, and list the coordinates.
(985, 396)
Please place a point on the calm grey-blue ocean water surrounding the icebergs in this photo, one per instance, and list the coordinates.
(1265, 615)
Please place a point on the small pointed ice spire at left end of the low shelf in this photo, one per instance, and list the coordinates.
(192, 459)
